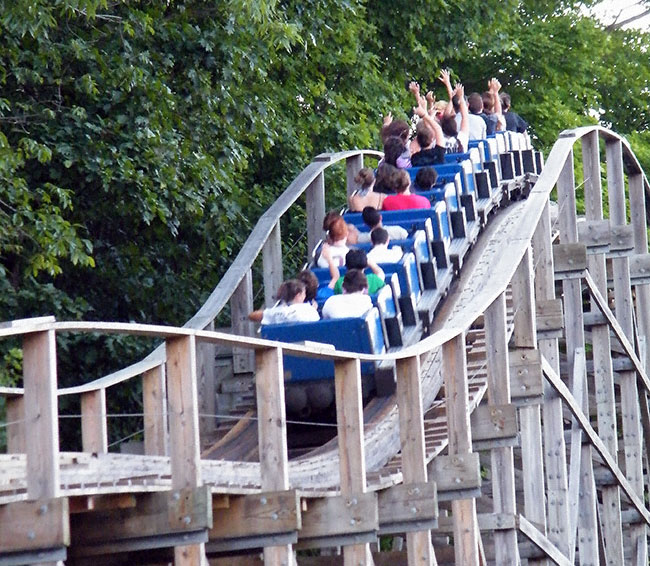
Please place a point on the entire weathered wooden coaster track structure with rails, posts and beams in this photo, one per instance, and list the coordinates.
(518, 431)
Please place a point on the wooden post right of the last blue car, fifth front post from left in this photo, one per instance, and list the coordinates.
(414, 466)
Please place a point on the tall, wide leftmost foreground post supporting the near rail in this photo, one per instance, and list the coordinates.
(41, 415)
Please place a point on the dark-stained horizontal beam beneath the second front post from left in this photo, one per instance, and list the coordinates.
(155, 515)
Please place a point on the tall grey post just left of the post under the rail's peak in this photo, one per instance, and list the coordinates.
(575, 341)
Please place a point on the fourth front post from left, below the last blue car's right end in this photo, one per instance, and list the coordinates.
(352, 459)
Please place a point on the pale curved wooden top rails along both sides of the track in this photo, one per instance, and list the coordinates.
(503, 270)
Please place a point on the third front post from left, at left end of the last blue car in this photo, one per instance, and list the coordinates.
(272, 434)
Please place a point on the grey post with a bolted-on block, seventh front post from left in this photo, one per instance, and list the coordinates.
(501, 419)
